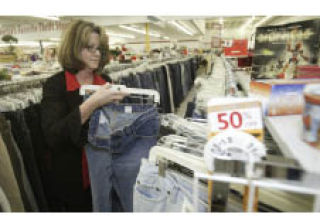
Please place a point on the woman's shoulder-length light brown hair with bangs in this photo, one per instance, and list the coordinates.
(75, 38)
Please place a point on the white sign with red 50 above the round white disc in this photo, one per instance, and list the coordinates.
(235, 113)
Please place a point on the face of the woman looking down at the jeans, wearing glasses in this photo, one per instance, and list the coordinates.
(91, 54)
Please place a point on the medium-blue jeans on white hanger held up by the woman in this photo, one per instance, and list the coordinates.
(119, 137)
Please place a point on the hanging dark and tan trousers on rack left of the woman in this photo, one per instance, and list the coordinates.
(22, 171)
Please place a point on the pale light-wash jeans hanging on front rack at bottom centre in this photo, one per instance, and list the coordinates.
(154, 193)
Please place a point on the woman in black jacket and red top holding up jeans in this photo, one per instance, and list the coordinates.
(83, 54)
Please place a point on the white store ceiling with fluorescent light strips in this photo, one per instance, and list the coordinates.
(159, 25)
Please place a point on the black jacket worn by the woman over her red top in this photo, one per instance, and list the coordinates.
(66, 137)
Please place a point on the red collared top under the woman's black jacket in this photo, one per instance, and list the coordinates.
(72, 84)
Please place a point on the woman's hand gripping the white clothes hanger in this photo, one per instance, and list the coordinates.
(105, 96)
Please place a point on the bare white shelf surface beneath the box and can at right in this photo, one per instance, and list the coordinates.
(287, 132)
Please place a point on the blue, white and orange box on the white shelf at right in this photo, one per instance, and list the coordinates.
(280, 97)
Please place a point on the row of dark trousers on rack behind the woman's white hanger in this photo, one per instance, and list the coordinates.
(171, 78)
